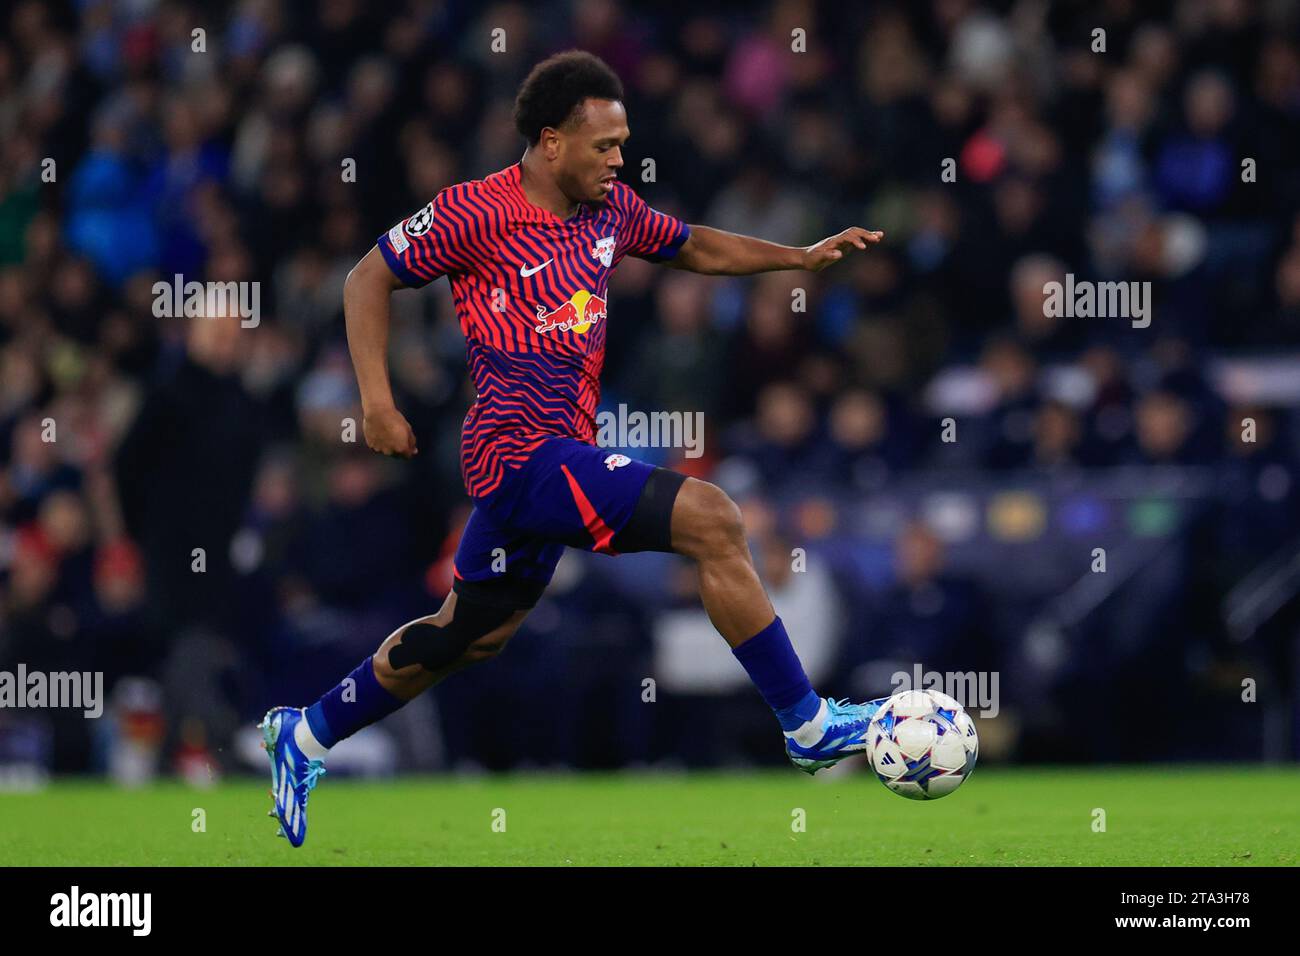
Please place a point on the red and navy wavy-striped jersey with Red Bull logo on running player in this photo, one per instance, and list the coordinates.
(530, 291)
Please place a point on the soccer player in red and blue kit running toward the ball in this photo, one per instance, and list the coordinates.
(528, 253)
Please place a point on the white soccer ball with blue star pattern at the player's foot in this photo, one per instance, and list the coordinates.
(922, 745)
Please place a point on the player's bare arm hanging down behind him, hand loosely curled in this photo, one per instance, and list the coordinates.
(366, 313)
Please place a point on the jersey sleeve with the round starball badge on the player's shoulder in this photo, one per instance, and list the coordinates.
(444, 237)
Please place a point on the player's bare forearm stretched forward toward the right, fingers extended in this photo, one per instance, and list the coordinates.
(716, 253)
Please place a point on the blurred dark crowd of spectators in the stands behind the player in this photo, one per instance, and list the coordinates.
(942, 456)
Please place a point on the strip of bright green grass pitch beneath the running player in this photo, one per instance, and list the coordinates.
(1172, 816)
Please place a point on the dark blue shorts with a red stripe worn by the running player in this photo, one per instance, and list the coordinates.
(567, 495)
